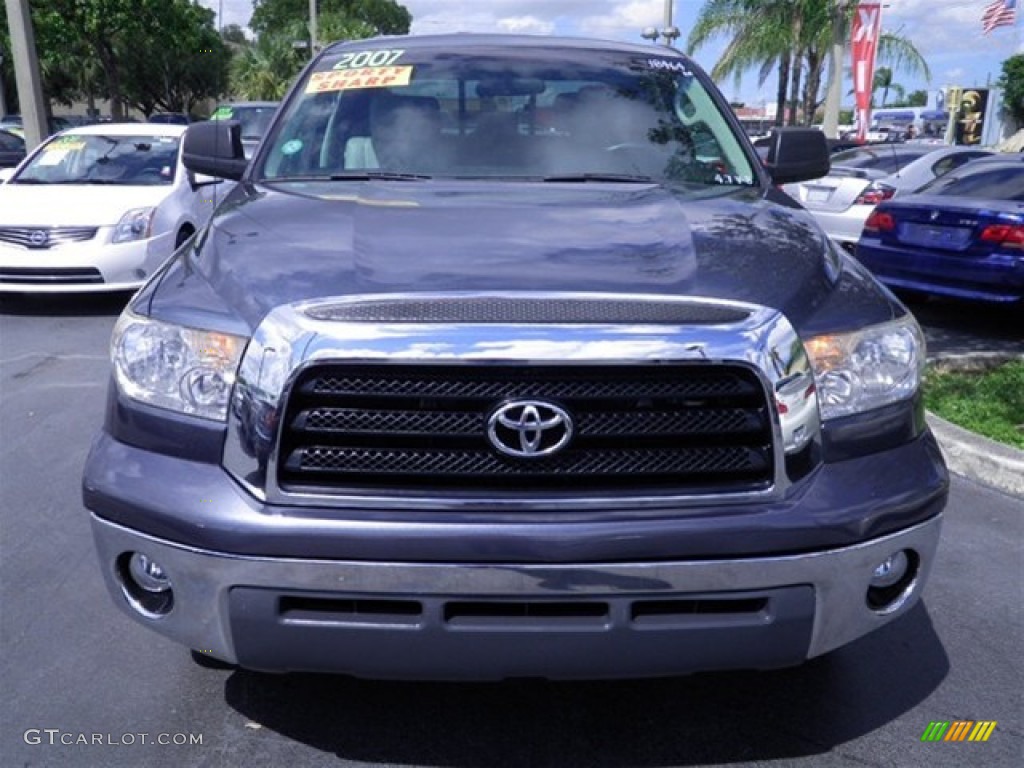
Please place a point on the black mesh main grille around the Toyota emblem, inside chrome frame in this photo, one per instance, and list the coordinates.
(684, 428)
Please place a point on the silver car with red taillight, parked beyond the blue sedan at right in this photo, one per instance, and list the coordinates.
(863, 178)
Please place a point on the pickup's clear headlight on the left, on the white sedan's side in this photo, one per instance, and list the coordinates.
(177, 368)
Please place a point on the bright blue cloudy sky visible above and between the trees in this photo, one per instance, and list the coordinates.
(947, 32)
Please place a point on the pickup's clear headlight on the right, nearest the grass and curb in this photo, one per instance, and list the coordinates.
(868, 369)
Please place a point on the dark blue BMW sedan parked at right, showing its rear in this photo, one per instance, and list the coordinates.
(960, 236)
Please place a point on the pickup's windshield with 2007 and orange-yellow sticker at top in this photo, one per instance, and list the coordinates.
(566, 115)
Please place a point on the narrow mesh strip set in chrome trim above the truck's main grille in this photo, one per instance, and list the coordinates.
(529, 311)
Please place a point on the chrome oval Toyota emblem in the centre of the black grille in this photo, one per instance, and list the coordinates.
(530, 429)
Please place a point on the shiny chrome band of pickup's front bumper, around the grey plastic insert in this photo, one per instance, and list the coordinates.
(203, 583)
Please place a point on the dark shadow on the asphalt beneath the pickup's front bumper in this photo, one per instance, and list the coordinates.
(709, 718)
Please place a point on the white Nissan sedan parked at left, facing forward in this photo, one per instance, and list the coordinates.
(99, 208)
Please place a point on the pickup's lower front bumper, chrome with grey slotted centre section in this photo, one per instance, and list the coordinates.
(459, 621)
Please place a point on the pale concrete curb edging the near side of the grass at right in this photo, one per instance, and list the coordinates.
(985, 461)
